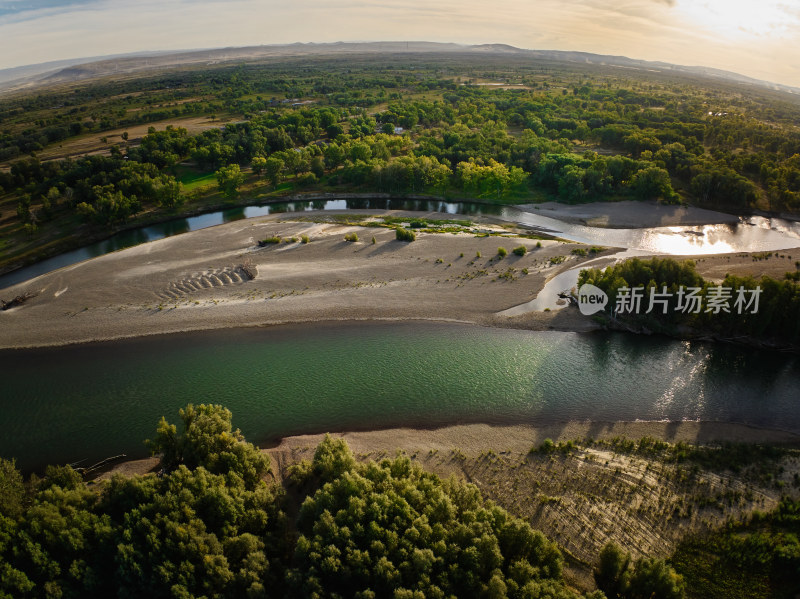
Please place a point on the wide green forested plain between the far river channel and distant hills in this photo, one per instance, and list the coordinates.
(425, 124)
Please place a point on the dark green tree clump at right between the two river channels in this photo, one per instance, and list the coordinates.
(673, 298)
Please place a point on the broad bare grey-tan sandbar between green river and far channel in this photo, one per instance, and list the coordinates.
(197, 281)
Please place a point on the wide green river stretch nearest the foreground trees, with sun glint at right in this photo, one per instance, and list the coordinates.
(103, 399)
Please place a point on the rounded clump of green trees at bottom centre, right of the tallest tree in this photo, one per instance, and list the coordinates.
(389, 529)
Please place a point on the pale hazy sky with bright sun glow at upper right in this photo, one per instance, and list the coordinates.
(760, 38)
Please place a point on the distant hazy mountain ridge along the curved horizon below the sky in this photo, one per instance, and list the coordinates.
(32, 76)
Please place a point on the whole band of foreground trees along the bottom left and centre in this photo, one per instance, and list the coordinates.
(208, 525)
